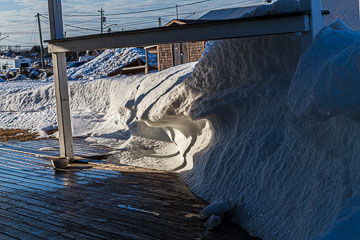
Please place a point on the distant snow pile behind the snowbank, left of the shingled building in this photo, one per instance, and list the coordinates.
(108, 61)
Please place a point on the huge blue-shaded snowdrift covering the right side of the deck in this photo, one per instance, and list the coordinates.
(290, 178)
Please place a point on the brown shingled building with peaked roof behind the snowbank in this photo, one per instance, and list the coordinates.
(174, 54)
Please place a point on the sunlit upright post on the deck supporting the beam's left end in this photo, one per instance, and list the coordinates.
(61, 83)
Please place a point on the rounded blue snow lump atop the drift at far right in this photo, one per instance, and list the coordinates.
(327, 82)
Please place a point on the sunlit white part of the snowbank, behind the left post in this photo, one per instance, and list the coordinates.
(109, 111)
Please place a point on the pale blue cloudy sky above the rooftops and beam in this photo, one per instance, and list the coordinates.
(17, 17)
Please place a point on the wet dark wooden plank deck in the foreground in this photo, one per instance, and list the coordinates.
(95, 200)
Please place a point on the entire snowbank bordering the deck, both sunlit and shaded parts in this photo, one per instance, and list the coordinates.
(274, 133)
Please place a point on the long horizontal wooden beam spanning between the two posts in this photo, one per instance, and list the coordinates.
(204, 31)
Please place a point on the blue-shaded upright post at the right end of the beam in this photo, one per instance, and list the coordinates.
(315, 19)
